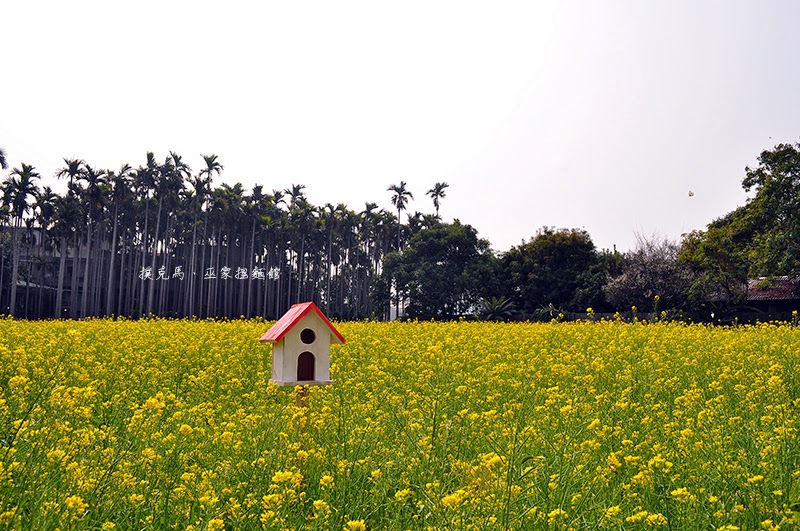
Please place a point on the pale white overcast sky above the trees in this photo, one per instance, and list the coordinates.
(600, 115)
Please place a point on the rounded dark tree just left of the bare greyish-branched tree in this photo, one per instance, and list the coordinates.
(557, 268)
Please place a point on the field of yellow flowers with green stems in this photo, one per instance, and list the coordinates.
(609, 425)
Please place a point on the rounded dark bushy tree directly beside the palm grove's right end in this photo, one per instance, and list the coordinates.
(443, 272)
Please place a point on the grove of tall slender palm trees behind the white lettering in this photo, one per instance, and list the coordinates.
(162, 239)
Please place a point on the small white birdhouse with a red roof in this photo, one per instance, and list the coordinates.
(301, 351)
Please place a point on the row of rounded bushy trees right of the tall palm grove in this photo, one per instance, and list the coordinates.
(709, 275)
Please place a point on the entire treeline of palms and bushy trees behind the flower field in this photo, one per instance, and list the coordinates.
(162, 239)
